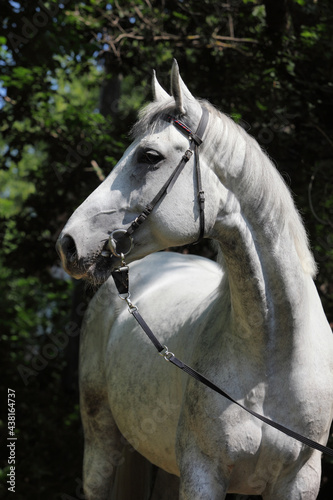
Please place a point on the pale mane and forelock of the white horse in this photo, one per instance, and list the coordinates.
(257, 178)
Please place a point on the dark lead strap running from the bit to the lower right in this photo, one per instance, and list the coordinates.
(121, 279)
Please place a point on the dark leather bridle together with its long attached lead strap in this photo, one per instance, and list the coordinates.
(121, 274)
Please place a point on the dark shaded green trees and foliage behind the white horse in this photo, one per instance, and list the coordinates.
(73, 76)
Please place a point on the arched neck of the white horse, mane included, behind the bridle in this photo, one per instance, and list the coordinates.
(262, 240)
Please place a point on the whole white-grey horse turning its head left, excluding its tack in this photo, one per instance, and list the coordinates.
(252, 323)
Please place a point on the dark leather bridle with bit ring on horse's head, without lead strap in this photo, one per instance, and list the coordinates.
(118, 237)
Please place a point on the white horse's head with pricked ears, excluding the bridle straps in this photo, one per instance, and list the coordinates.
(158, 146)
